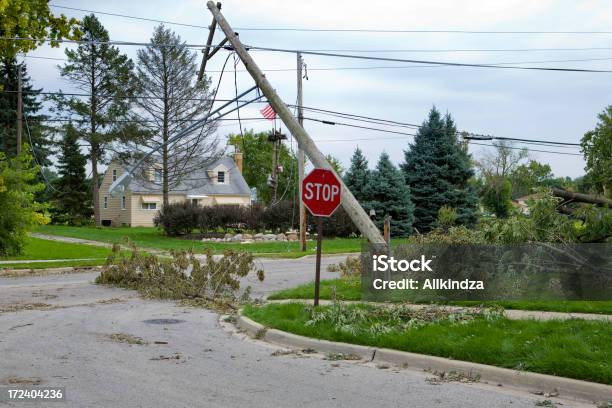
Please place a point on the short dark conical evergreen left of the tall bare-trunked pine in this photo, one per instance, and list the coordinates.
(72, 198)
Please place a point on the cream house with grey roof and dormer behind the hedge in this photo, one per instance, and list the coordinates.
(221, 183)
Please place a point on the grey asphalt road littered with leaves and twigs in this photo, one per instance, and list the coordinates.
(65, 341)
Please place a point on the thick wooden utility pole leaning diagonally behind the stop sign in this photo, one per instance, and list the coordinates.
(349, 202)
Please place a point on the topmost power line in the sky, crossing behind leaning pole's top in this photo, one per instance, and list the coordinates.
(360, 30)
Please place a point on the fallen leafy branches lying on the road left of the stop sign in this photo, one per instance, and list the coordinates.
(214, 282)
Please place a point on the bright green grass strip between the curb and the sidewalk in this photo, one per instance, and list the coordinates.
(573, 348)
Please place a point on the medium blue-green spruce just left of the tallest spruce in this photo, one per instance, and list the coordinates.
(388, 194)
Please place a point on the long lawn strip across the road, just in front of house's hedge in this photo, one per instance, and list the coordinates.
(147, 237)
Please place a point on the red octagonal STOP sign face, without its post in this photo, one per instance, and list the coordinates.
(321, 192)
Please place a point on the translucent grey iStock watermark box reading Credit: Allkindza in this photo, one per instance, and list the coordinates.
(538, 271)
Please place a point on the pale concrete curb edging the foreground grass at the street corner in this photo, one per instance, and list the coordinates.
(521, 380)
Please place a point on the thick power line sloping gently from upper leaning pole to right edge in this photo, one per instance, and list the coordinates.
(441, 63)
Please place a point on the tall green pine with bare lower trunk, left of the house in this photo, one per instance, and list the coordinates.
(100, 70)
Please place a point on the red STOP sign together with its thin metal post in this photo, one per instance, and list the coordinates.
(321, 194)
